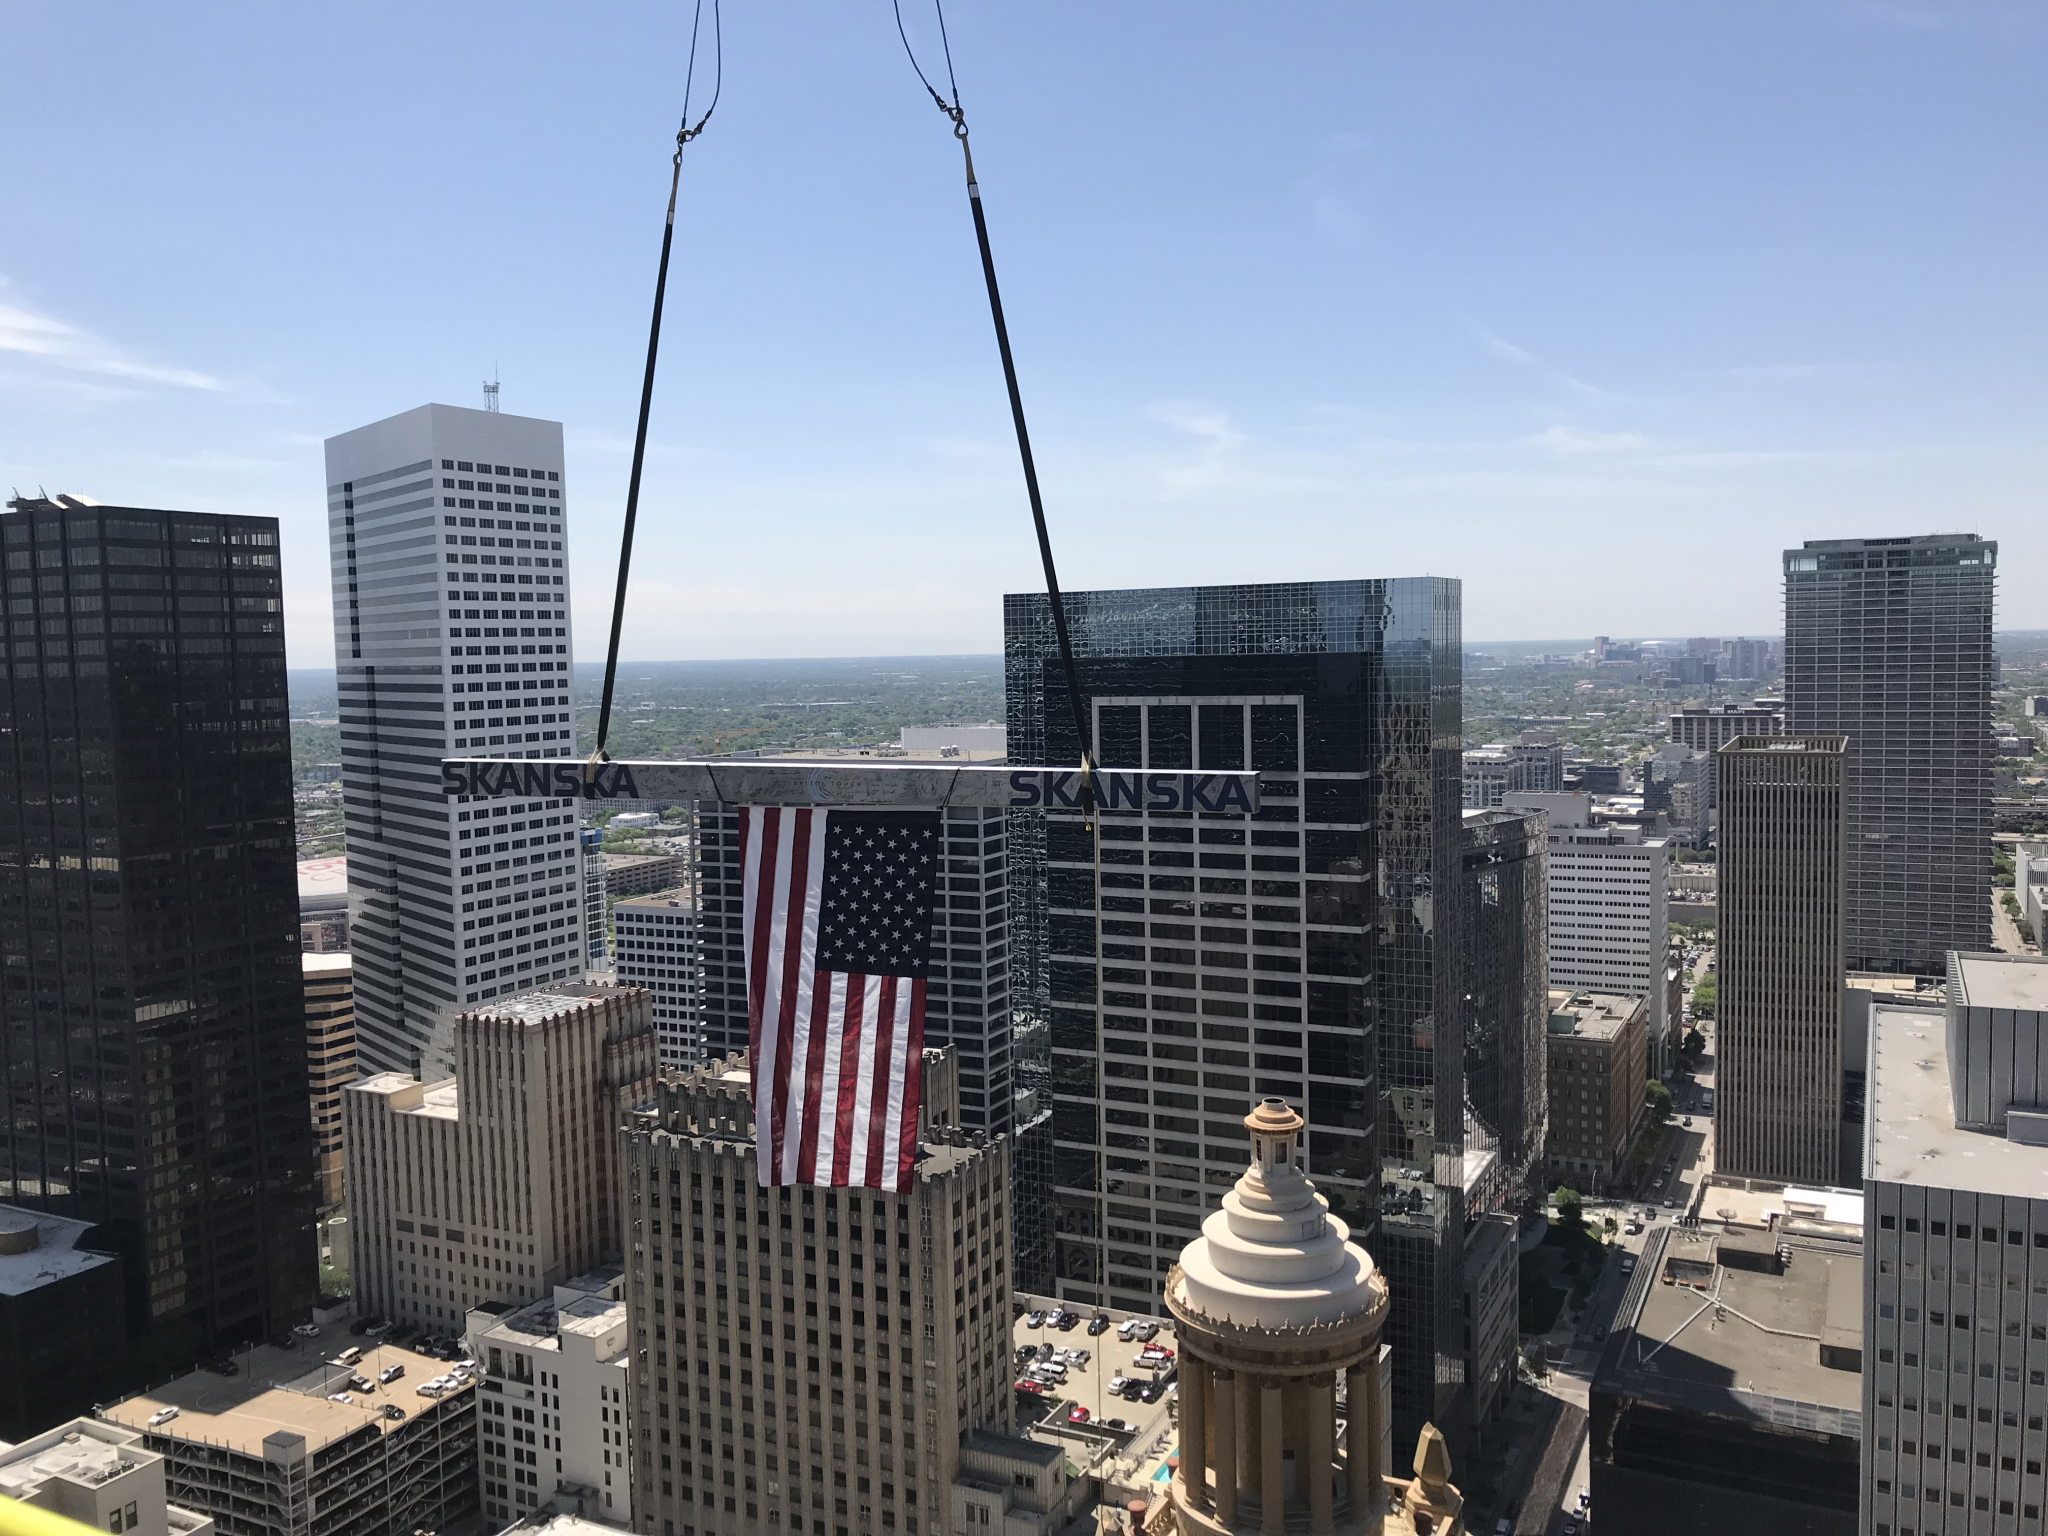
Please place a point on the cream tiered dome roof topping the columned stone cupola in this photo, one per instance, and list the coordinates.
(1275, 1256)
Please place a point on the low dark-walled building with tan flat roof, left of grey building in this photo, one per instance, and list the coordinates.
(1727, 1396)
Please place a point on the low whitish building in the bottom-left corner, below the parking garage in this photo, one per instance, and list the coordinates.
(99, 1476)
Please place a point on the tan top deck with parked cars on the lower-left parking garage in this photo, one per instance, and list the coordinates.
(288, 1390)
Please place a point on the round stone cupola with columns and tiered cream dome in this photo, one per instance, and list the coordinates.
(1273, 1302)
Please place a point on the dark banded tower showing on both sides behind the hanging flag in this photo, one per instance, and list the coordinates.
(968, 994)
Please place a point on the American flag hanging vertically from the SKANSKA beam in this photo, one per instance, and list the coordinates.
(839, 941)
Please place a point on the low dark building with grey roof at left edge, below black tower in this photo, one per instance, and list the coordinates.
(62, 1322)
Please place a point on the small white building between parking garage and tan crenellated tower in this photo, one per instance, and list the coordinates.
(552, 1420)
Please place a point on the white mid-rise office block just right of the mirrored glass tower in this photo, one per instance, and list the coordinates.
(1611, 912)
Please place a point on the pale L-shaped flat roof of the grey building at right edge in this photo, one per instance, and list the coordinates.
(1914, 1136)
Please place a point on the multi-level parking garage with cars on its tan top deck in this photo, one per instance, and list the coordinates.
(296, 1445)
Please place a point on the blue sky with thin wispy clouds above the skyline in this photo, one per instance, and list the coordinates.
(1594, 306)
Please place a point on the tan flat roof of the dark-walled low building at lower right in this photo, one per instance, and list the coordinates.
(1756, 1353)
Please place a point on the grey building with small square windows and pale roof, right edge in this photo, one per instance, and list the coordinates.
(1957, 1293)
